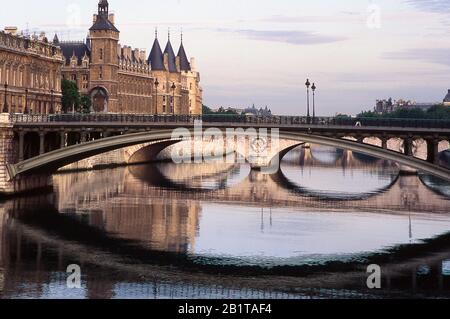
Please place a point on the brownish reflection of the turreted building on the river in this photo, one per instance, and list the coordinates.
(164, 224)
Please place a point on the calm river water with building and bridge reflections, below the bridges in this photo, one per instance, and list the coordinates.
(223, 231)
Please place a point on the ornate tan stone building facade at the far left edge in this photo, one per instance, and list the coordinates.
(30, 74)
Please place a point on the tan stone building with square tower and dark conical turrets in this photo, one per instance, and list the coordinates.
(120, 79)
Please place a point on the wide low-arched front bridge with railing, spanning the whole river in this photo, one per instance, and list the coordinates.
(33, 147)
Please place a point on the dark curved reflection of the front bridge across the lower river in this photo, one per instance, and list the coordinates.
(33, 240)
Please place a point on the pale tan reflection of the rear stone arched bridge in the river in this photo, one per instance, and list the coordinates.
(144, 184)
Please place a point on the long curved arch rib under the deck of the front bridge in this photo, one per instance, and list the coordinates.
(56, 159)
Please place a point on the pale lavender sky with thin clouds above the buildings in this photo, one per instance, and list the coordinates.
(261, 52)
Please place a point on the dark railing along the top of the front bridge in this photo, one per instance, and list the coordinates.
(213, 118)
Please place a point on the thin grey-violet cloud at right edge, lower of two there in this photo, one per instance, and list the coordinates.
(432, 55)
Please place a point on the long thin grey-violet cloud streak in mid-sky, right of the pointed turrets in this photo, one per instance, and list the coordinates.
(291, 37)
